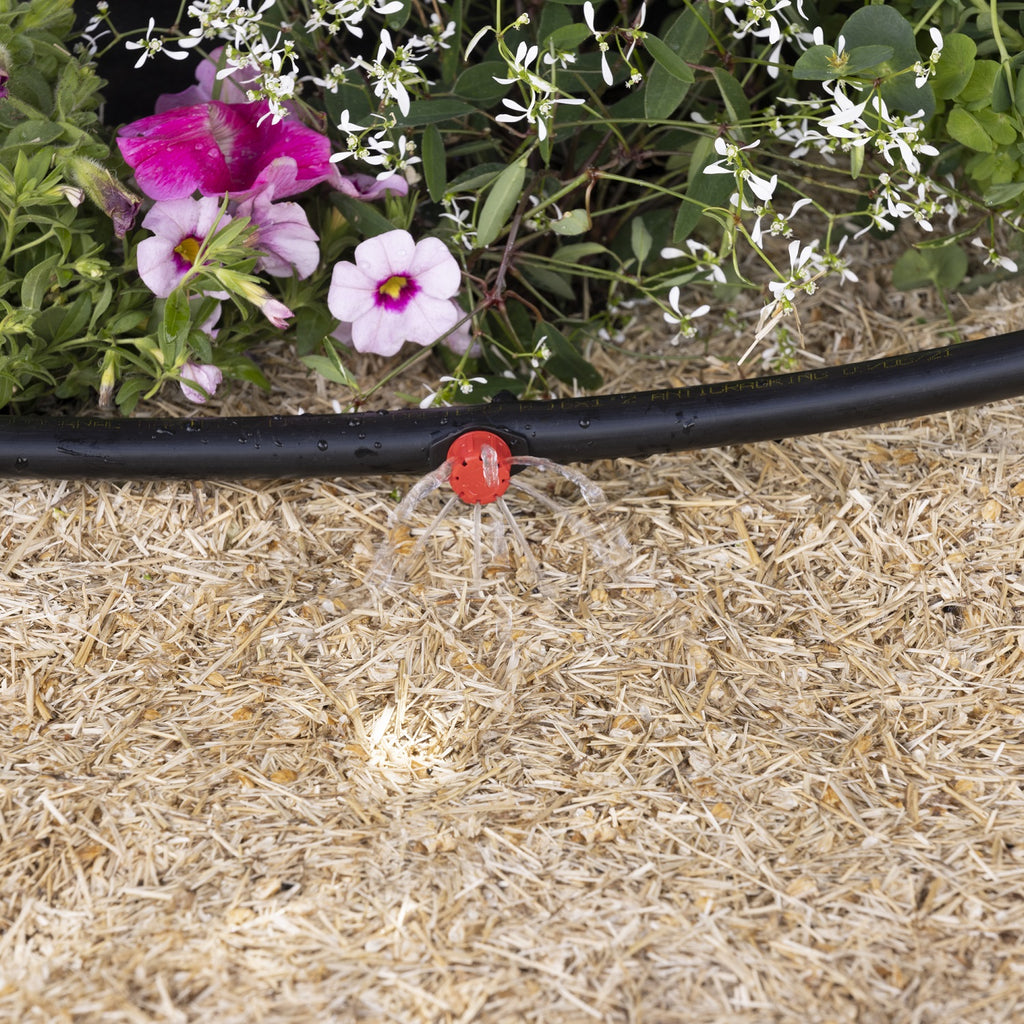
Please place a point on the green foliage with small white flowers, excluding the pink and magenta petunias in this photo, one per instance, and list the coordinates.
(574, 162)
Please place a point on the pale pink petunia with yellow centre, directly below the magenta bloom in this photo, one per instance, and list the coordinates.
(180, 228)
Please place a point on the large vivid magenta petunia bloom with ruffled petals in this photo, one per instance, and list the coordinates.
(218, 148)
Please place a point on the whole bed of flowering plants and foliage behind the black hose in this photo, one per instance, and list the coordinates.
(499, 185)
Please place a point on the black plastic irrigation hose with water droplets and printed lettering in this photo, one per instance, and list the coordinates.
(568, 431)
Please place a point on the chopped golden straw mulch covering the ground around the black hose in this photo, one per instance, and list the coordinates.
(764, 765)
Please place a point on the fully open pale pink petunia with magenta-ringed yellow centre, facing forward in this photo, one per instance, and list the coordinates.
(397, 291)
